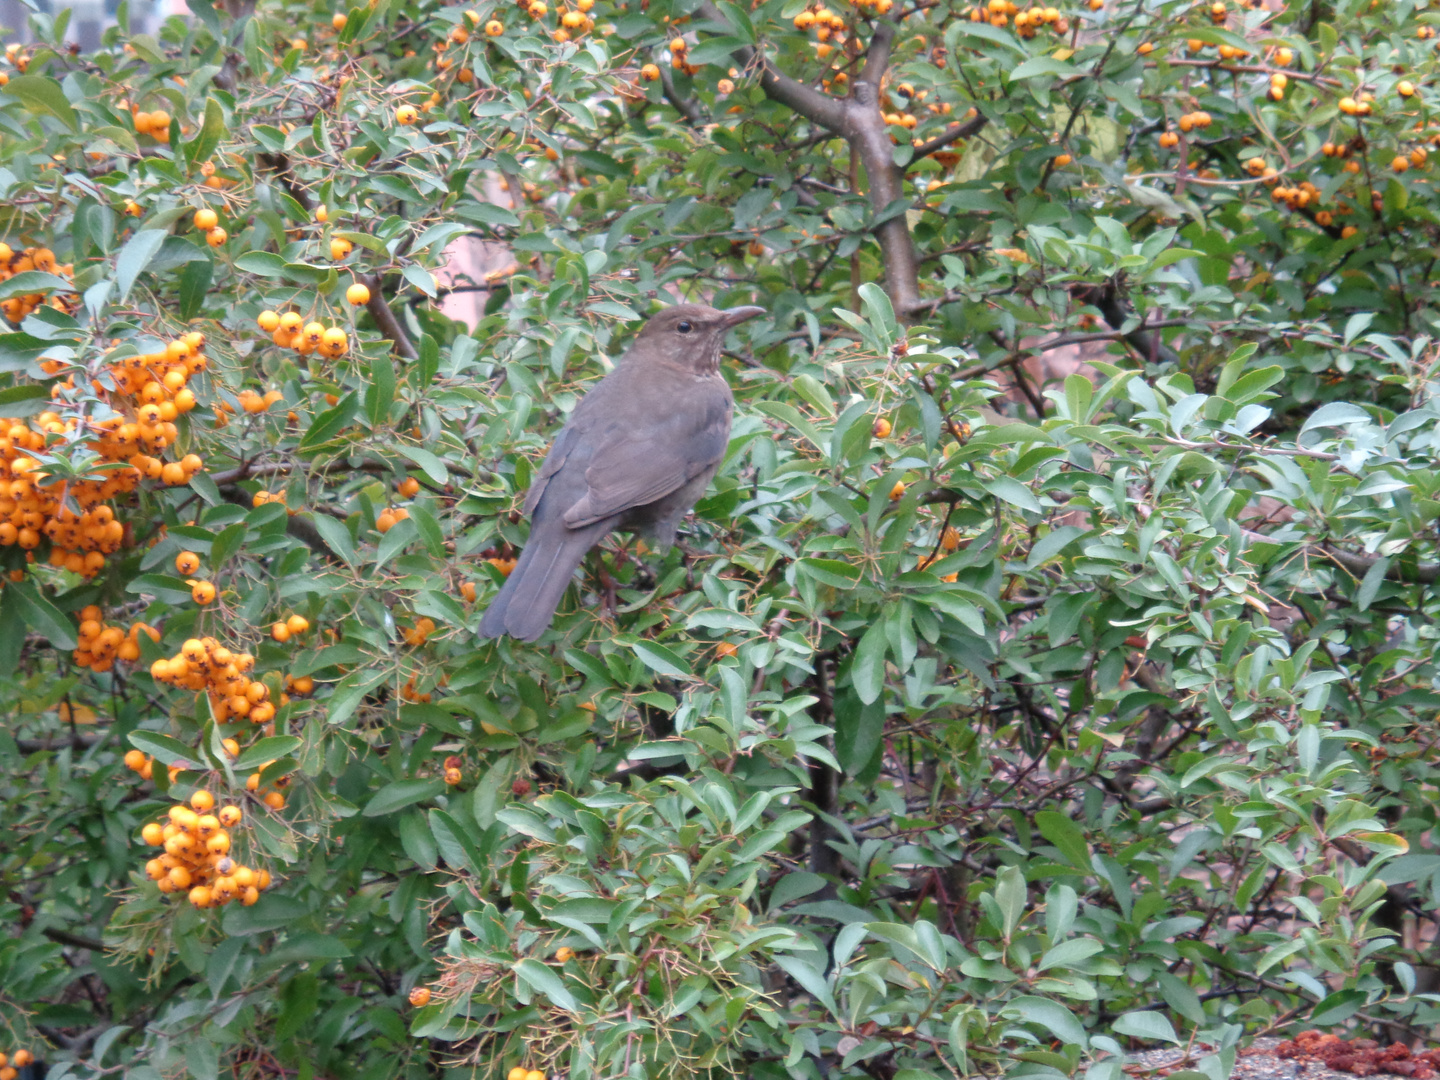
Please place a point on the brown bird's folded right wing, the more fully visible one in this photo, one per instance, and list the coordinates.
(633, 469)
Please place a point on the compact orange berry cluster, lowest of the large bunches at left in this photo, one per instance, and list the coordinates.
(197, 860)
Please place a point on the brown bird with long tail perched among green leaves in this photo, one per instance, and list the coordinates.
(639, 451)
